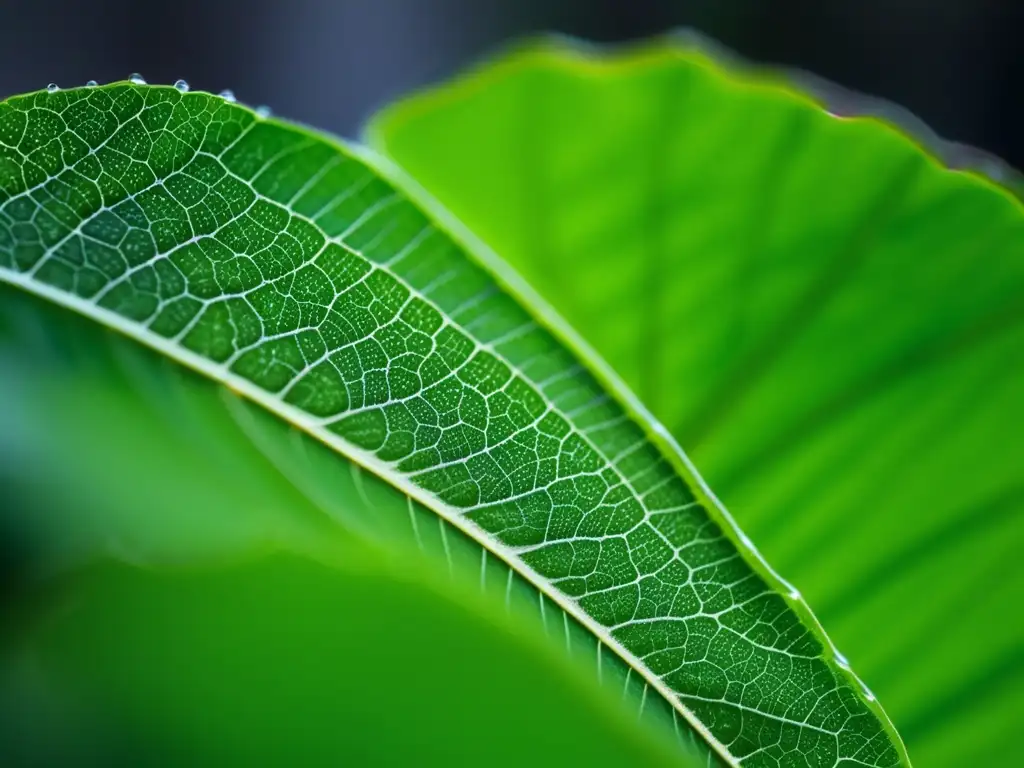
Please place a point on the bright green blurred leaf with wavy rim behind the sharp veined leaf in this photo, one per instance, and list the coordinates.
(826, 319)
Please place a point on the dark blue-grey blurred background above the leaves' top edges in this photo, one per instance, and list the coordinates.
(956, 64)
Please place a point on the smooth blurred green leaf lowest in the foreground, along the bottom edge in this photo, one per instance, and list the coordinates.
(284, 661)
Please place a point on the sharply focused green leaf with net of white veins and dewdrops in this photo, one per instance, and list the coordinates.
(290, 269)
